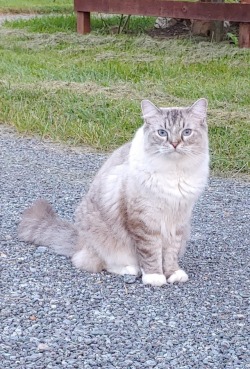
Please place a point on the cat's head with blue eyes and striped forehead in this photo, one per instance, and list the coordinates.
(175, 131)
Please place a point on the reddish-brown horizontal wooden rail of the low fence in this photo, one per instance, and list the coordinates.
(173, 9)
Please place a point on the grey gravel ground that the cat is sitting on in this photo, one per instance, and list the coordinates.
(54, 316)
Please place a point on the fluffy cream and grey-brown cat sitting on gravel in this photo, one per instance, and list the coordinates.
(135, 218)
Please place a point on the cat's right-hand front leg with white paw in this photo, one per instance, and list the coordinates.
(172, 249)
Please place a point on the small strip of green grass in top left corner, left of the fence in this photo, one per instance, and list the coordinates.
(35, 6)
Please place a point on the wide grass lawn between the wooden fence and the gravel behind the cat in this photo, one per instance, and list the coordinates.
(87, 89)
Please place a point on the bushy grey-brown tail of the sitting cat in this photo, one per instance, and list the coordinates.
(42, 226)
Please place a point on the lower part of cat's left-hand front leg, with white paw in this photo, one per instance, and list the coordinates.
(150, 259)
